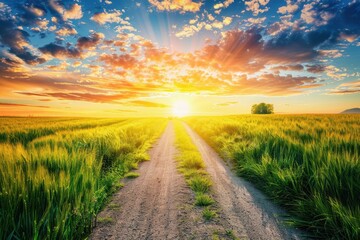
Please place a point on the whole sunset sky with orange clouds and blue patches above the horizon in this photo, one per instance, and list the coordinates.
(125, 58)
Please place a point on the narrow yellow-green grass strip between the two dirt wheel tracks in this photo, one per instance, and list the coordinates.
(192, 166)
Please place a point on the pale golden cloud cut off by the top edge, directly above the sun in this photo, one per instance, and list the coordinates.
(176, 5)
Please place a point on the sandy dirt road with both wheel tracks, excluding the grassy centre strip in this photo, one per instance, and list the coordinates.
(159, 205)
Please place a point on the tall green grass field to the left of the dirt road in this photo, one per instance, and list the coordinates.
(52, 187)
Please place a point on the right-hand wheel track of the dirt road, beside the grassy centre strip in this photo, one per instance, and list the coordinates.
(244, 207)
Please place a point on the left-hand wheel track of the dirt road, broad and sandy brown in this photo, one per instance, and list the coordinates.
(151, 206)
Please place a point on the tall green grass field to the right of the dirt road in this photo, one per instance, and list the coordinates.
(307, 163)
